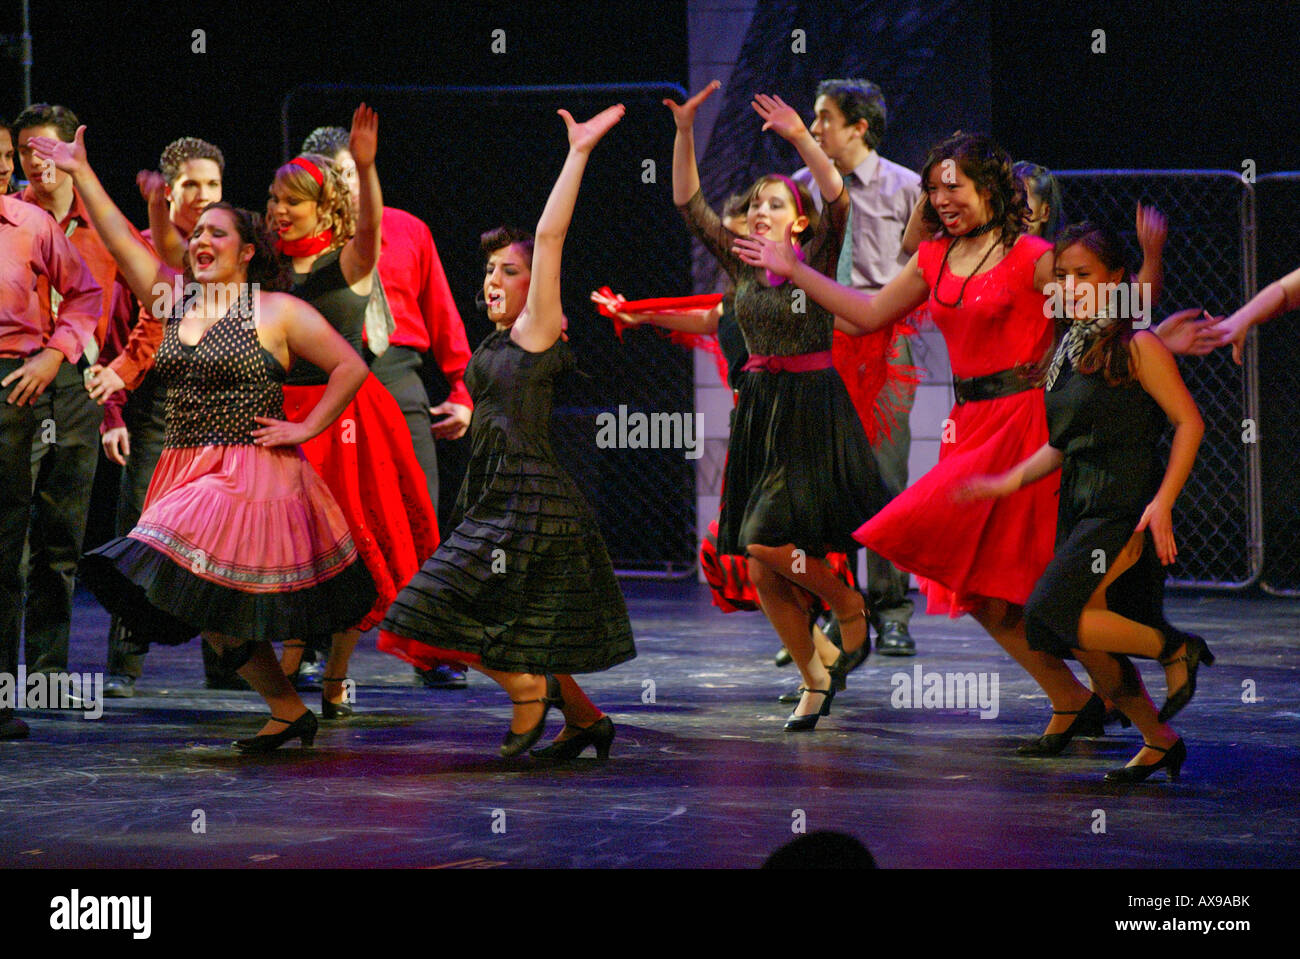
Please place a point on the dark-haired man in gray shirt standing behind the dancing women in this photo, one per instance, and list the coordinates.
(850, 125)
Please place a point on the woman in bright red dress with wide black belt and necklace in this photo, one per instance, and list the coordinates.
(983, 280)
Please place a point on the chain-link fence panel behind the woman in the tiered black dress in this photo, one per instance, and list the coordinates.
(469, 159)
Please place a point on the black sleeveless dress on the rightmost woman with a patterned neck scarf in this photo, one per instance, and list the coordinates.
(1112, 471)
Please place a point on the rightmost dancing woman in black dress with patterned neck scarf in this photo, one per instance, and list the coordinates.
(1110, 390)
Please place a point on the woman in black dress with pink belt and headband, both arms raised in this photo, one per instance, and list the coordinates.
(800, 472)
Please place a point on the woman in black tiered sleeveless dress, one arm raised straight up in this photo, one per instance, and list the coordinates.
(523, 589)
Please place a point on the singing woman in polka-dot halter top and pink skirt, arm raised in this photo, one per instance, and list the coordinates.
(240, 539)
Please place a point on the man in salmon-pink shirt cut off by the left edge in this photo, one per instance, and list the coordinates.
(37, 346)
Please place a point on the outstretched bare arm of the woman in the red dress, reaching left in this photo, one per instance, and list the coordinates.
(868, 313)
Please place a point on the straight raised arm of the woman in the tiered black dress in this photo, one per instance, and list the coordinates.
(543, 320)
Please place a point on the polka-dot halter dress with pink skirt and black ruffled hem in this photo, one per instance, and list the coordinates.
(235, 539)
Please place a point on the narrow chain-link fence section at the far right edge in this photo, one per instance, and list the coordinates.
(1280, 388)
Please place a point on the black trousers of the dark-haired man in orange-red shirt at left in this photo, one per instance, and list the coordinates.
(64, 453)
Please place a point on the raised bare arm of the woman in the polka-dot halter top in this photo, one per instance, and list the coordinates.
(149, 279)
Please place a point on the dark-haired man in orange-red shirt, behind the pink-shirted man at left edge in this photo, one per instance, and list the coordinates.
(63, 467)
